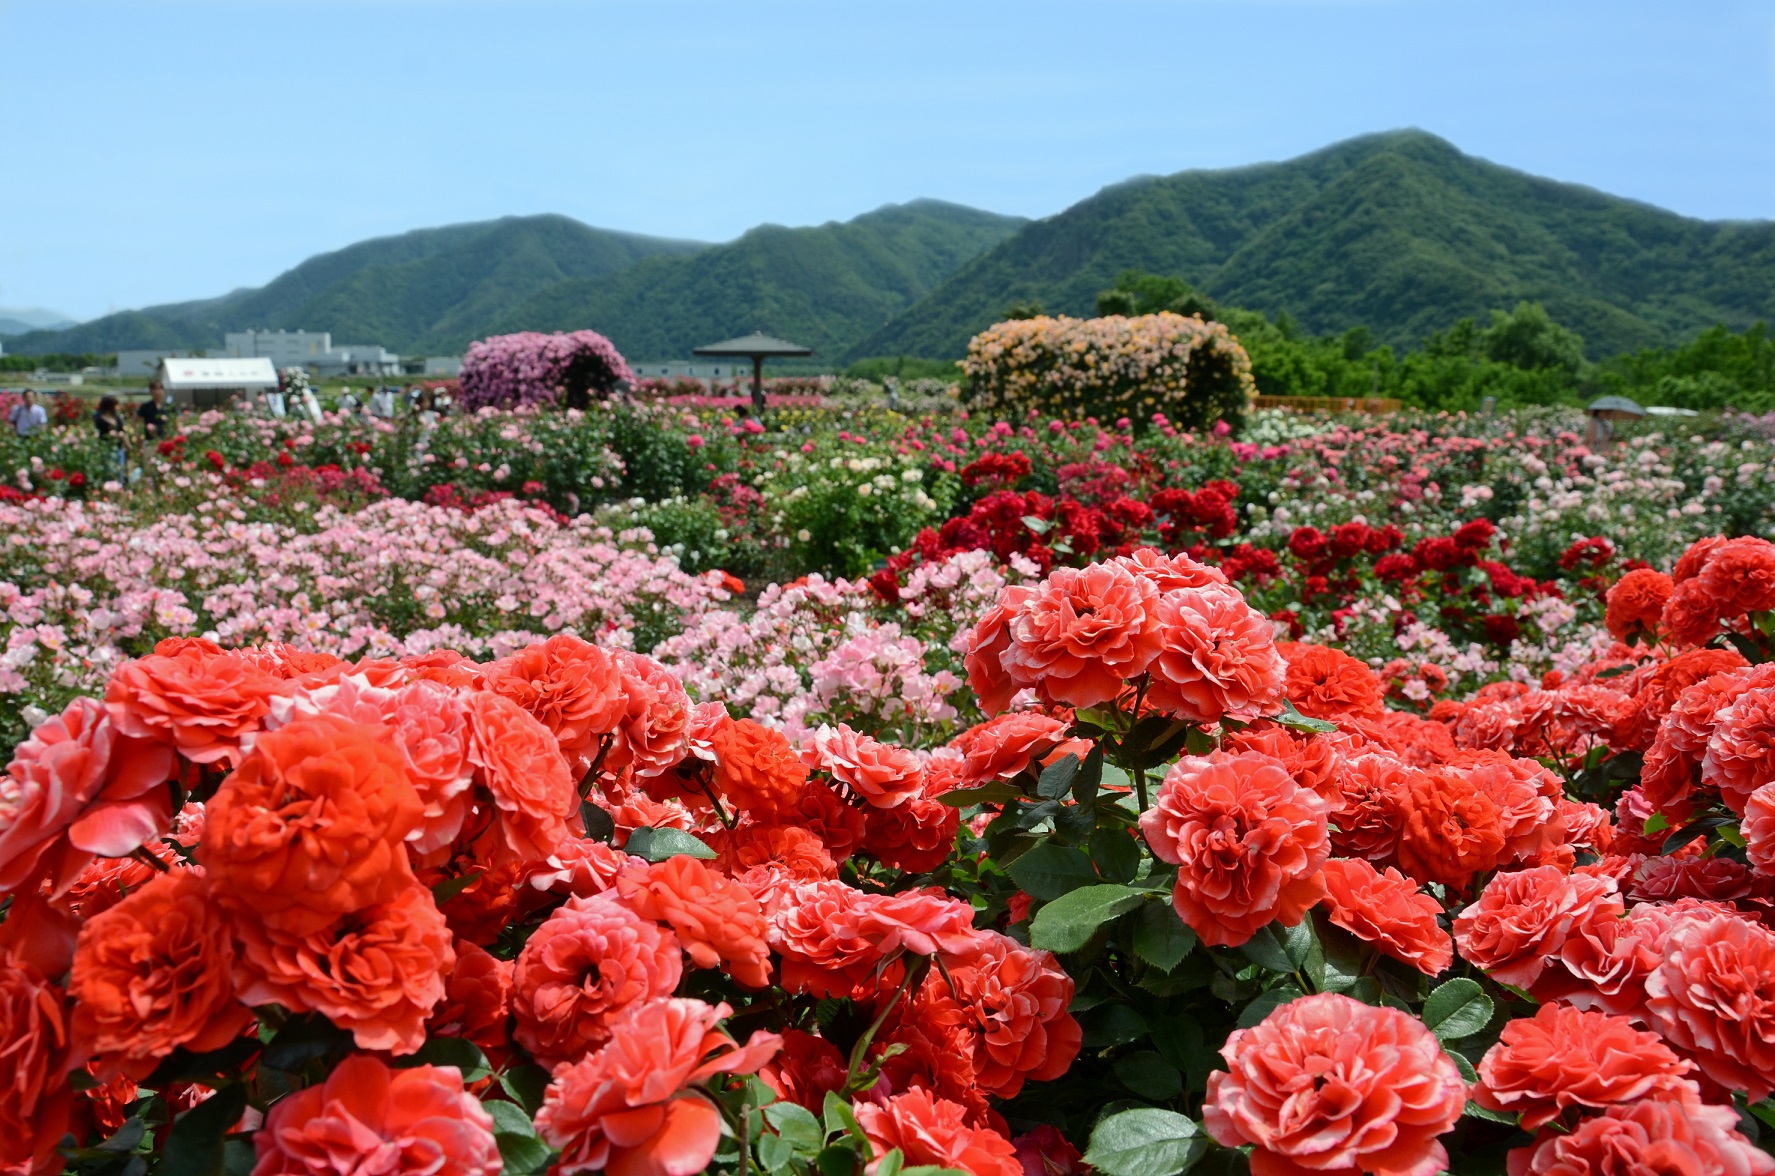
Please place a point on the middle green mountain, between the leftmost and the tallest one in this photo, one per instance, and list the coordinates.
(823, 288)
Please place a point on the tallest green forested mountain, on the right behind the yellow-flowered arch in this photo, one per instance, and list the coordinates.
(1400, 233)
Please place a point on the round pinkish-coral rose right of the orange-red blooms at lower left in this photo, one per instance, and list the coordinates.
(585, 966)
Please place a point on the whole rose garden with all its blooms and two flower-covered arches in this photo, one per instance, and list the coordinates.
(1078, 772)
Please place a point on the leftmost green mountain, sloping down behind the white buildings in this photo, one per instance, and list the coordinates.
(425, 292)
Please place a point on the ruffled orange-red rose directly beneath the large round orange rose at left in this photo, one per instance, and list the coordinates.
(377, 971)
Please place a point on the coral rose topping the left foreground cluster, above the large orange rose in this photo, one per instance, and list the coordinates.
(196, 696)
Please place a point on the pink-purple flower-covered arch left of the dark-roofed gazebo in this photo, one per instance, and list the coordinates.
(532, 368)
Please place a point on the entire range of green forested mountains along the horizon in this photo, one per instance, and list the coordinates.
(1400, 233)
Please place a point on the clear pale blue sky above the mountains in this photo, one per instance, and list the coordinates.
(155, 152)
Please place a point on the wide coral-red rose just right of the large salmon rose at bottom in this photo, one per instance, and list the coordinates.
(1565, 1058)
